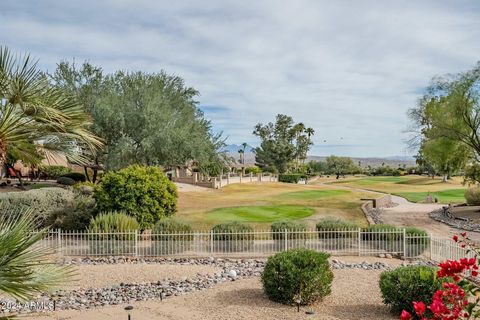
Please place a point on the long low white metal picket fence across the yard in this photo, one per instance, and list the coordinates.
(251, 244)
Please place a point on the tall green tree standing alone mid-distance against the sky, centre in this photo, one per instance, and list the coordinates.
(283, 143)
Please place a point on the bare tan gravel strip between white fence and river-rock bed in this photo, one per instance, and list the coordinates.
(97, 276)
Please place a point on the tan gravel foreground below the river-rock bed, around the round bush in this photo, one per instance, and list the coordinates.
(244, 299)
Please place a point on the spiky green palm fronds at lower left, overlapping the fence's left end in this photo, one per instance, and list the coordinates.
(25, 267)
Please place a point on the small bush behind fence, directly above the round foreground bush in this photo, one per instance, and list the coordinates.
(296, 235)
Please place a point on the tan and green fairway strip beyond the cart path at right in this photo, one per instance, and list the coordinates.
(413, 187)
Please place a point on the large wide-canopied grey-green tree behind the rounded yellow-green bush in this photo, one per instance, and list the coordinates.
(148, 119)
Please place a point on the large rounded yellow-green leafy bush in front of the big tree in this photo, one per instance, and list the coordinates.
(143, 192)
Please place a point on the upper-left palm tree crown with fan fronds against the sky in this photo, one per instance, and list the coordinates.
(34, 116)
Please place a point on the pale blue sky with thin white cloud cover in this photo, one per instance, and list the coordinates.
(348, 69)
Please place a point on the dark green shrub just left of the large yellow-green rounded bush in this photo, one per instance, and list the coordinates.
(75, 215)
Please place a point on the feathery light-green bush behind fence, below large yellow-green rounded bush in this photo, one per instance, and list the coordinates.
(112, 234)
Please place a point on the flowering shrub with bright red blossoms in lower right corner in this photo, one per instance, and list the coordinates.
(460, 296)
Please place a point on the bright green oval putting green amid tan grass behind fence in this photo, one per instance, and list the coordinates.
(260, 213)
